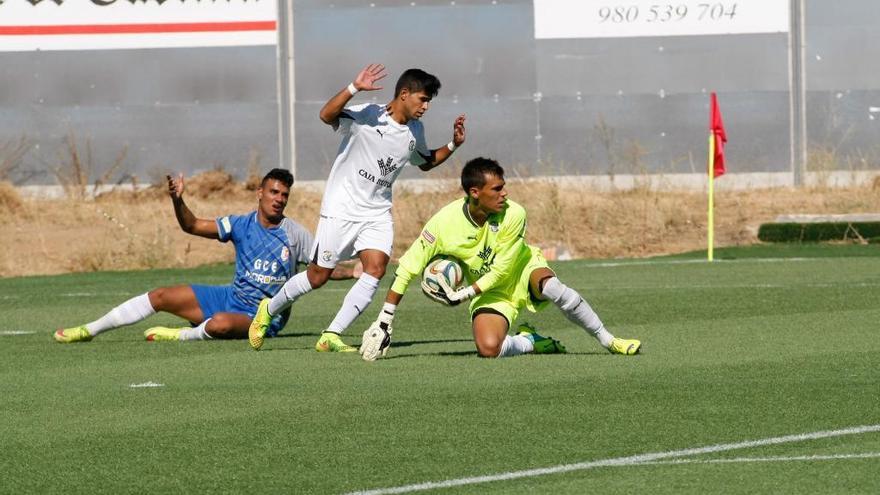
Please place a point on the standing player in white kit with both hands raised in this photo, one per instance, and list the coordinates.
(378, 141)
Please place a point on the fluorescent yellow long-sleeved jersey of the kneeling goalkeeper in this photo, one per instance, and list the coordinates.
(490, 253)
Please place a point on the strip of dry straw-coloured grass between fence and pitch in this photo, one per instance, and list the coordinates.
(125, 230)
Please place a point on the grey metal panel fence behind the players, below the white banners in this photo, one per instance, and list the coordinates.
(597, 106)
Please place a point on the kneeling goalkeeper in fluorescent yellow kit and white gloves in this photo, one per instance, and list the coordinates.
(486, 232)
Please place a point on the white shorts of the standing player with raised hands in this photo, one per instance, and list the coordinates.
(338, 239)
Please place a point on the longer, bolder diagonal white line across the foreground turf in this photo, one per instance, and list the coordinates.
(620, 461)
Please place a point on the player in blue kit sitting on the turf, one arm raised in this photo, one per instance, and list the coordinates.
(269, 247)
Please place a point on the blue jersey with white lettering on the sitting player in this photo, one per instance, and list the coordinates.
(264, 258)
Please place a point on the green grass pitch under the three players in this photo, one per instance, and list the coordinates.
(767, 342)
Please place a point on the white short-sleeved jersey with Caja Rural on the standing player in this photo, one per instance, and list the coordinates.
(373, 152)
